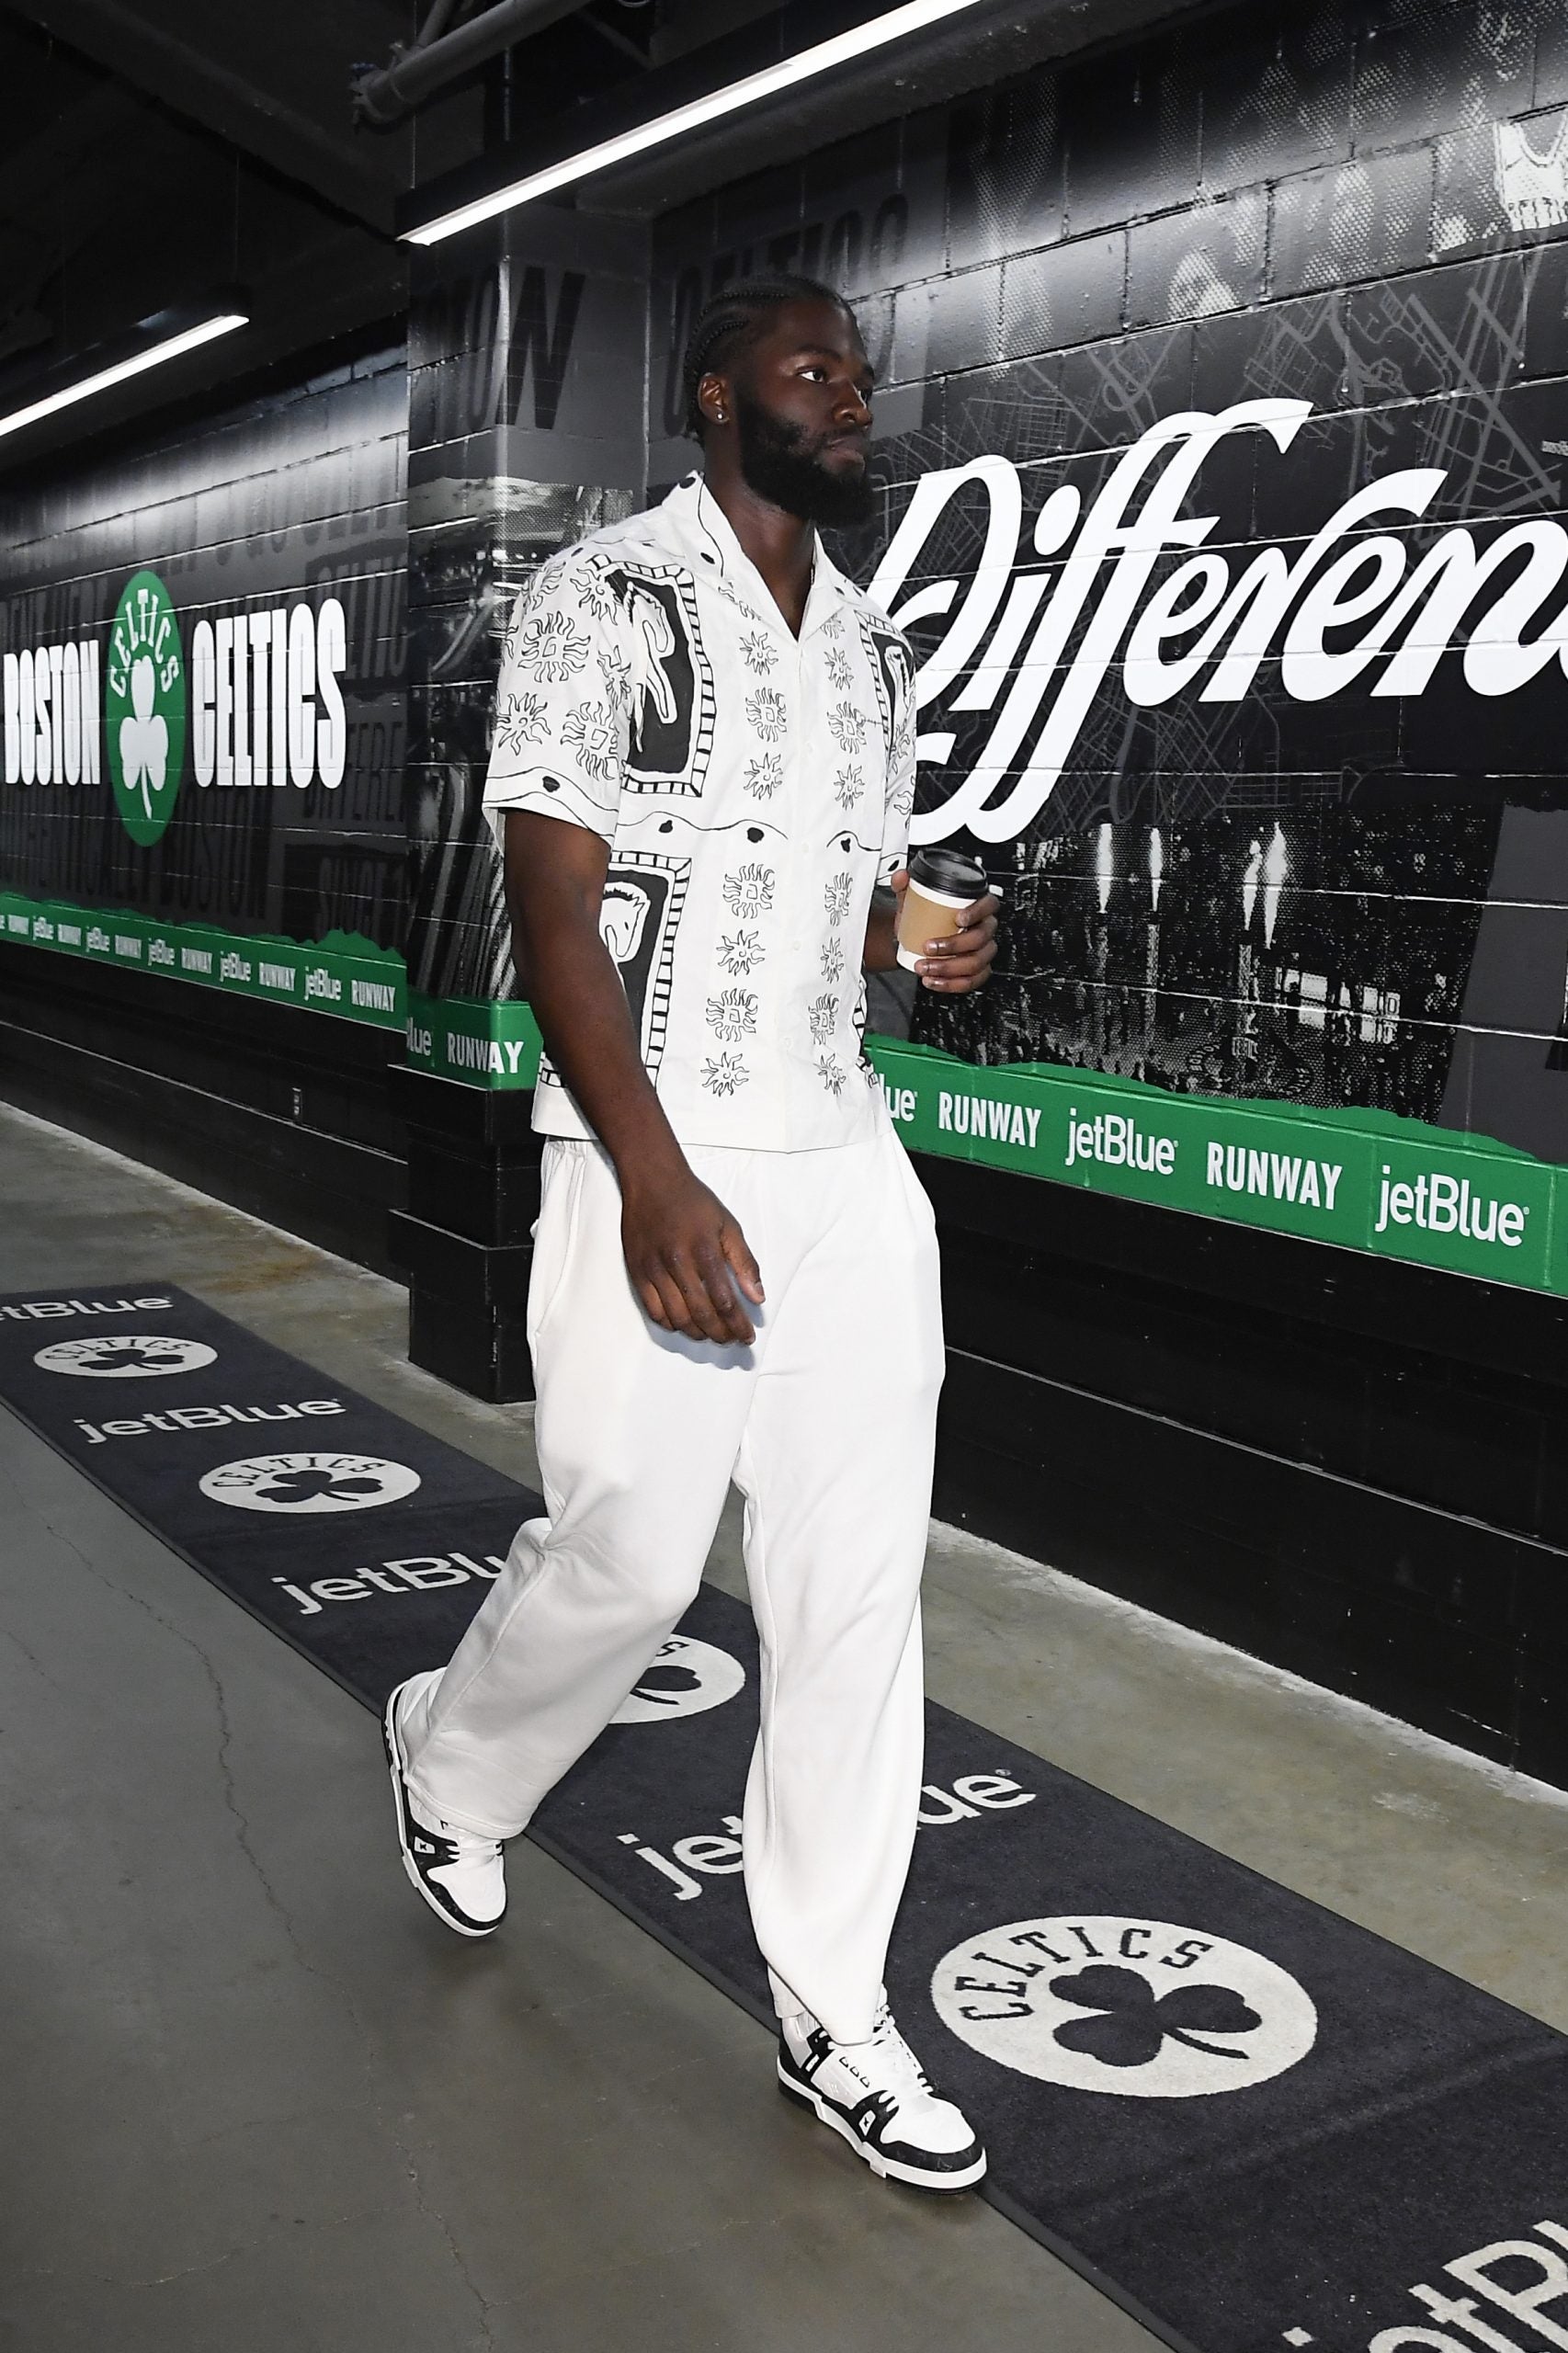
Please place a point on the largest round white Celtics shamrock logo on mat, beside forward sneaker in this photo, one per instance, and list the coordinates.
(1138, 2008)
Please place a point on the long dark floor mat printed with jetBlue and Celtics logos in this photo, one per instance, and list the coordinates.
(1244, 2119)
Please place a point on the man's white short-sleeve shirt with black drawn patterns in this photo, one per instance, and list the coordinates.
(752, 787)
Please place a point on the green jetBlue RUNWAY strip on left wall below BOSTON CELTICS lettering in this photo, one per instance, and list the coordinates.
(338, 975)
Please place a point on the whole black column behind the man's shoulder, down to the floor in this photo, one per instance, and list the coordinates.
(526, 432)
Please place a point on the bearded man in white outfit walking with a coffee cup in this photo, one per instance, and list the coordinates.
(703, 771)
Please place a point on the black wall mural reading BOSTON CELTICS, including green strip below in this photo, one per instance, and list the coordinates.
(201, 740)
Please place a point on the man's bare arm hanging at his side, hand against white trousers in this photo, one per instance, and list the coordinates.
(684, 1251)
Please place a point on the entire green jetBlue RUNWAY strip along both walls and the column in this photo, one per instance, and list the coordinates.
(1362, 1180)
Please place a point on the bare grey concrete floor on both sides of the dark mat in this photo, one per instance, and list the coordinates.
(260, 2102)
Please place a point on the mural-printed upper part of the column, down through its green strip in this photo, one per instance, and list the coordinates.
(526, 366)
